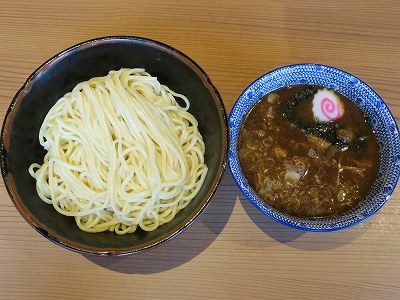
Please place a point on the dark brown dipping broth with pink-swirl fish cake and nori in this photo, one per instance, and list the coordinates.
(308, 151)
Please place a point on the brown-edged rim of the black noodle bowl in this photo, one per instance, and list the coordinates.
(111, 251)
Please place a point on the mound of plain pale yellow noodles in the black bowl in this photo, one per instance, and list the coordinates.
(121, 153)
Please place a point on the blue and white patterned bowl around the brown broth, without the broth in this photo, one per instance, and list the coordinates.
(360, 93)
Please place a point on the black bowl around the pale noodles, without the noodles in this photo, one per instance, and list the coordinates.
(20, 145)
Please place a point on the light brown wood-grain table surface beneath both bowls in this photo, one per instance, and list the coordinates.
(232, 251)
